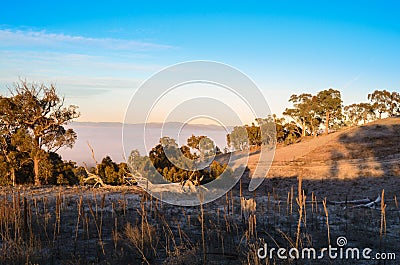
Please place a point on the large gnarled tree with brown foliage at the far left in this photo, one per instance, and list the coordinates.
(33, 120)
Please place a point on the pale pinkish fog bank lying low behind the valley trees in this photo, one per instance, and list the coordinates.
(106, 138)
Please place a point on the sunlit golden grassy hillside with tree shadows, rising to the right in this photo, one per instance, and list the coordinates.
(371, 150)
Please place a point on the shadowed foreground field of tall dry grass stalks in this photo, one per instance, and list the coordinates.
(81, 226)
